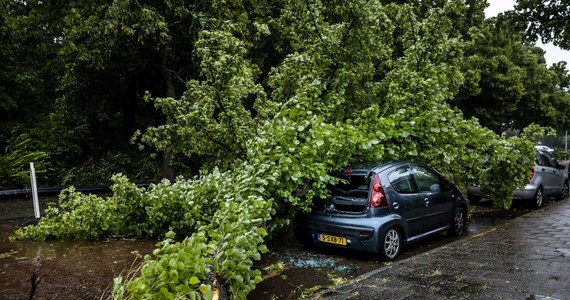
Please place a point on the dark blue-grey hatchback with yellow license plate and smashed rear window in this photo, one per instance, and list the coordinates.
(380, 207)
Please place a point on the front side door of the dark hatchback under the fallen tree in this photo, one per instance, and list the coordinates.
(438, 200)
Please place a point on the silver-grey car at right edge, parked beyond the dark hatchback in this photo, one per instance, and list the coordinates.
(549, 178)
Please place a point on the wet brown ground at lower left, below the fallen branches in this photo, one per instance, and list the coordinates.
(69, 269)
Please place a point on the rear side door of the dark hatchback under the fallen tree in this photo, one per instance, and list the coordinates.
(408, 202)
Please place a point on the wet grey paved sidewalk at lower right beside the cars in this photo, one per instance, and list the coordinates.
(526, 258)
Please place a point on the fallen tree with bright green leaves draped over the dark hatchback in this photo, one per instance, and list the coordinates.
(353, 81)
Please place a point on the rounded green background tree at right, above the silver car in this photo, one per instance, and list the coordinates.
(509, 85)
